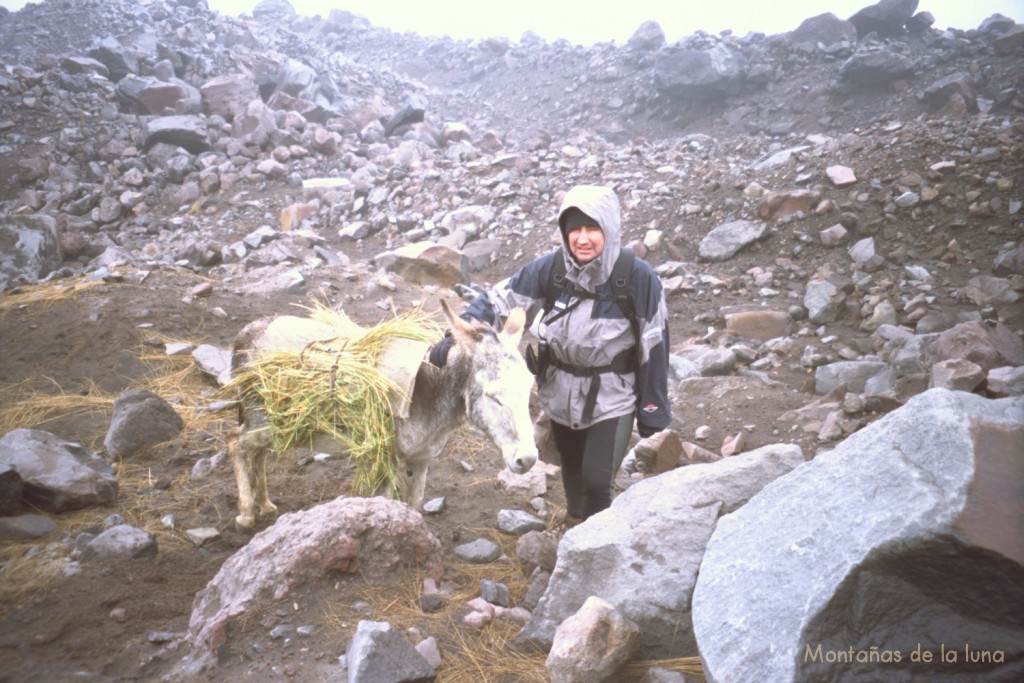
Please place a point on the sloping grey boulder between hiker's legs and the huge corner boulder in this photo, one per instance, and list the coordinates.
(643, 554)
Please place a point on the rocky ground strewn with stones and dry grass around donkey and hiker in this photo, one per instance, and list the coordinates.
(152, 257)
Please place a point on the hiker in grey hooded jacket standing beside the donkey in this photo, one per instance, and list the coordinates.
(596, 373)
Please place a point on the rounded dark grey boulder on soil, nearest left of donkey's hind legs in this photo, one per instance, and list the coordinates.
(141, 419)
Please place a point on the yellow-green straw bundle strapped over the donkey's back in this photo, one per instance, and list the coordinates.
(336, 388)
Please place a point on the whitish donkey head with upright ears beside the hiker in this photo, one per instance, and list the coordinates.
(498, 391)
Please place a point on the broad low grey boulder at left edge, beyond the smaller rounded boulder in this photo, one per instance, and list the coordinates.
(59, 476)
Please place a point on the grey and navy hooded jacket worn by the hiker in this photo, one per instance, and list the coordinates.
(594, 332)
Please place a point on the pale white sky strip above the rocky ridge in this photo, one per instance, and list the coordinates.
(588, 22)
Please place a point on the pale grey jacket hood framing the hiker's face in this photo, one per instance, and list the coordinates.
(603, 205)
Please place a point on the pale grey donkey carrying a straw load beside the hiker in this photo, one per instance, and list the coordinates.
(486, 380)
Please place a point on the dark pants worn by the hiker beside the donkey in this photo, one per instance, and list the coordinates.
(590, 459)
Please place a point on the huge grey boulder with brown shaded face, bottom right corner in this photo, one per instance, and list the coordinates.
(904, 544)
